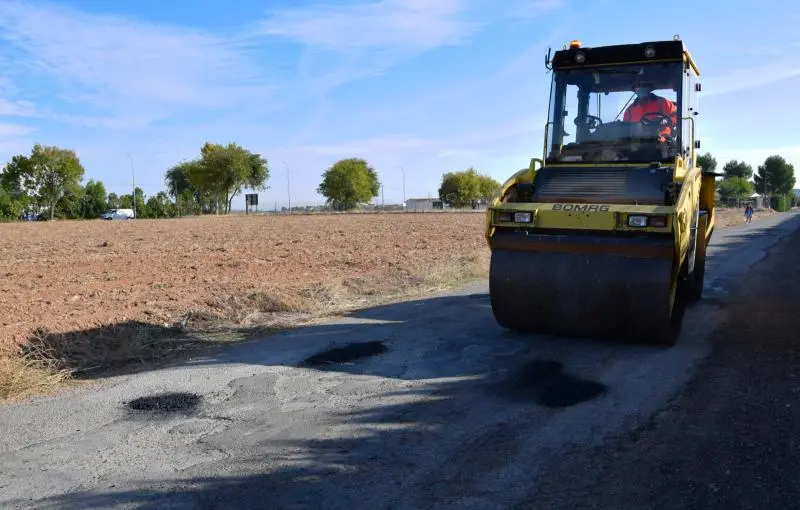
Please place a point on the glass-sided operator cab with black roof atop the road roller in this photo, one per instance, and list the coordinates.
(593, 87)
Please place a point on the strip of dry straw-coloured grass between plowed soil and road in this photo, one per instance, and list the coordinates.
(50, 359)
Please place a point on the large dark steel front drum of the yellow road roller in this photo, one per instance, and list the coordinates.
(584, 293)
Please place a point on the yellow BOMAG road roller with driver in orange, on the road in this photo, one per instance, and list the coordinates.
(605, 235)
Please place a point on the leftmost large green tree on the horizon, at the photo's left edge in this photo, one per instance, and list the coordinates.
(47, 175)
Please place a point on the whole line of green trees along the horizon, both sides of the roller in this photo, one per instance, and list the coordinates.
(48, 182)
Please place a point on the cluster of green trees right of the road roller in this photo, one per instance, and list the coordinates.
(774, 178)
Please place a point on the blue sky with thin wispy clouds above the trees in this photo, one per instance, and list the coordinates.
(429, 85)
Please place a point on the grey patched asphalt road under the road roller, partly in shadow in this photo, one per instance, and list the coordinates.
(446, 411)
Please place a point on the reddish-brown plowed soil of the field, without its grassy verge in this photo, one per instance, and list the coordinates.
(71, 275)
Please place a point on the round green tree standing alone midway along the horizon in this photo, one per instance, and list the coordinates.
(349, 183)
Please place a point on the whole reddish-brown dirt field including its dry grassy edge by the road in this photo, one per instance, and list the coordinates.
(85, 293)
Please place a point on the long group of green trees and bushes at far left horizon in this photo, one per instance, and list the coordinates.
(48, 183)
